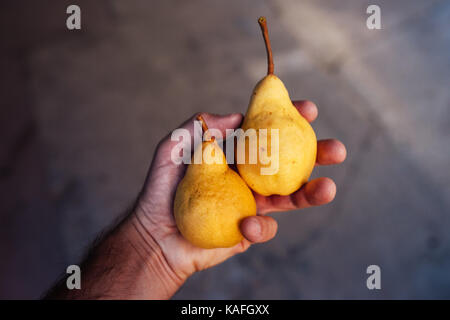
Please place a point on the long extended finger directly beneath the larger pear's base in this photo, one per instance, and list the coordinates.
(316, 192)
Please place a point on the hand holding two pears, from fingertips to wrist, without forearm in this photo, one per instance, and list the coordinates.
(154, 210)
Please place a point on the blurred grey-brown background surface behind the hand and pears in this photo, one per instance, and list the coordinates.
(82, 112)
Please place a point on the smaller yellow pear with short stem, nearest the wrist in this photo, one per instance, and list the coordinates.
(212, 199)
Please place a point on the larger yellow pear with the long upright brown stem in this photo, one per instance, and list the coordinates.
(270, 107)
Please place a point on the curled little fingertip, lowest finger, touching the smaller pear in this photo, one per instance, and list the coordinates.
(259, 228)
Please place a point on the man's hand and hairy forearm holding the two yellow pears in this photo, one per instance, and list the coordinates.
(146, 257)
